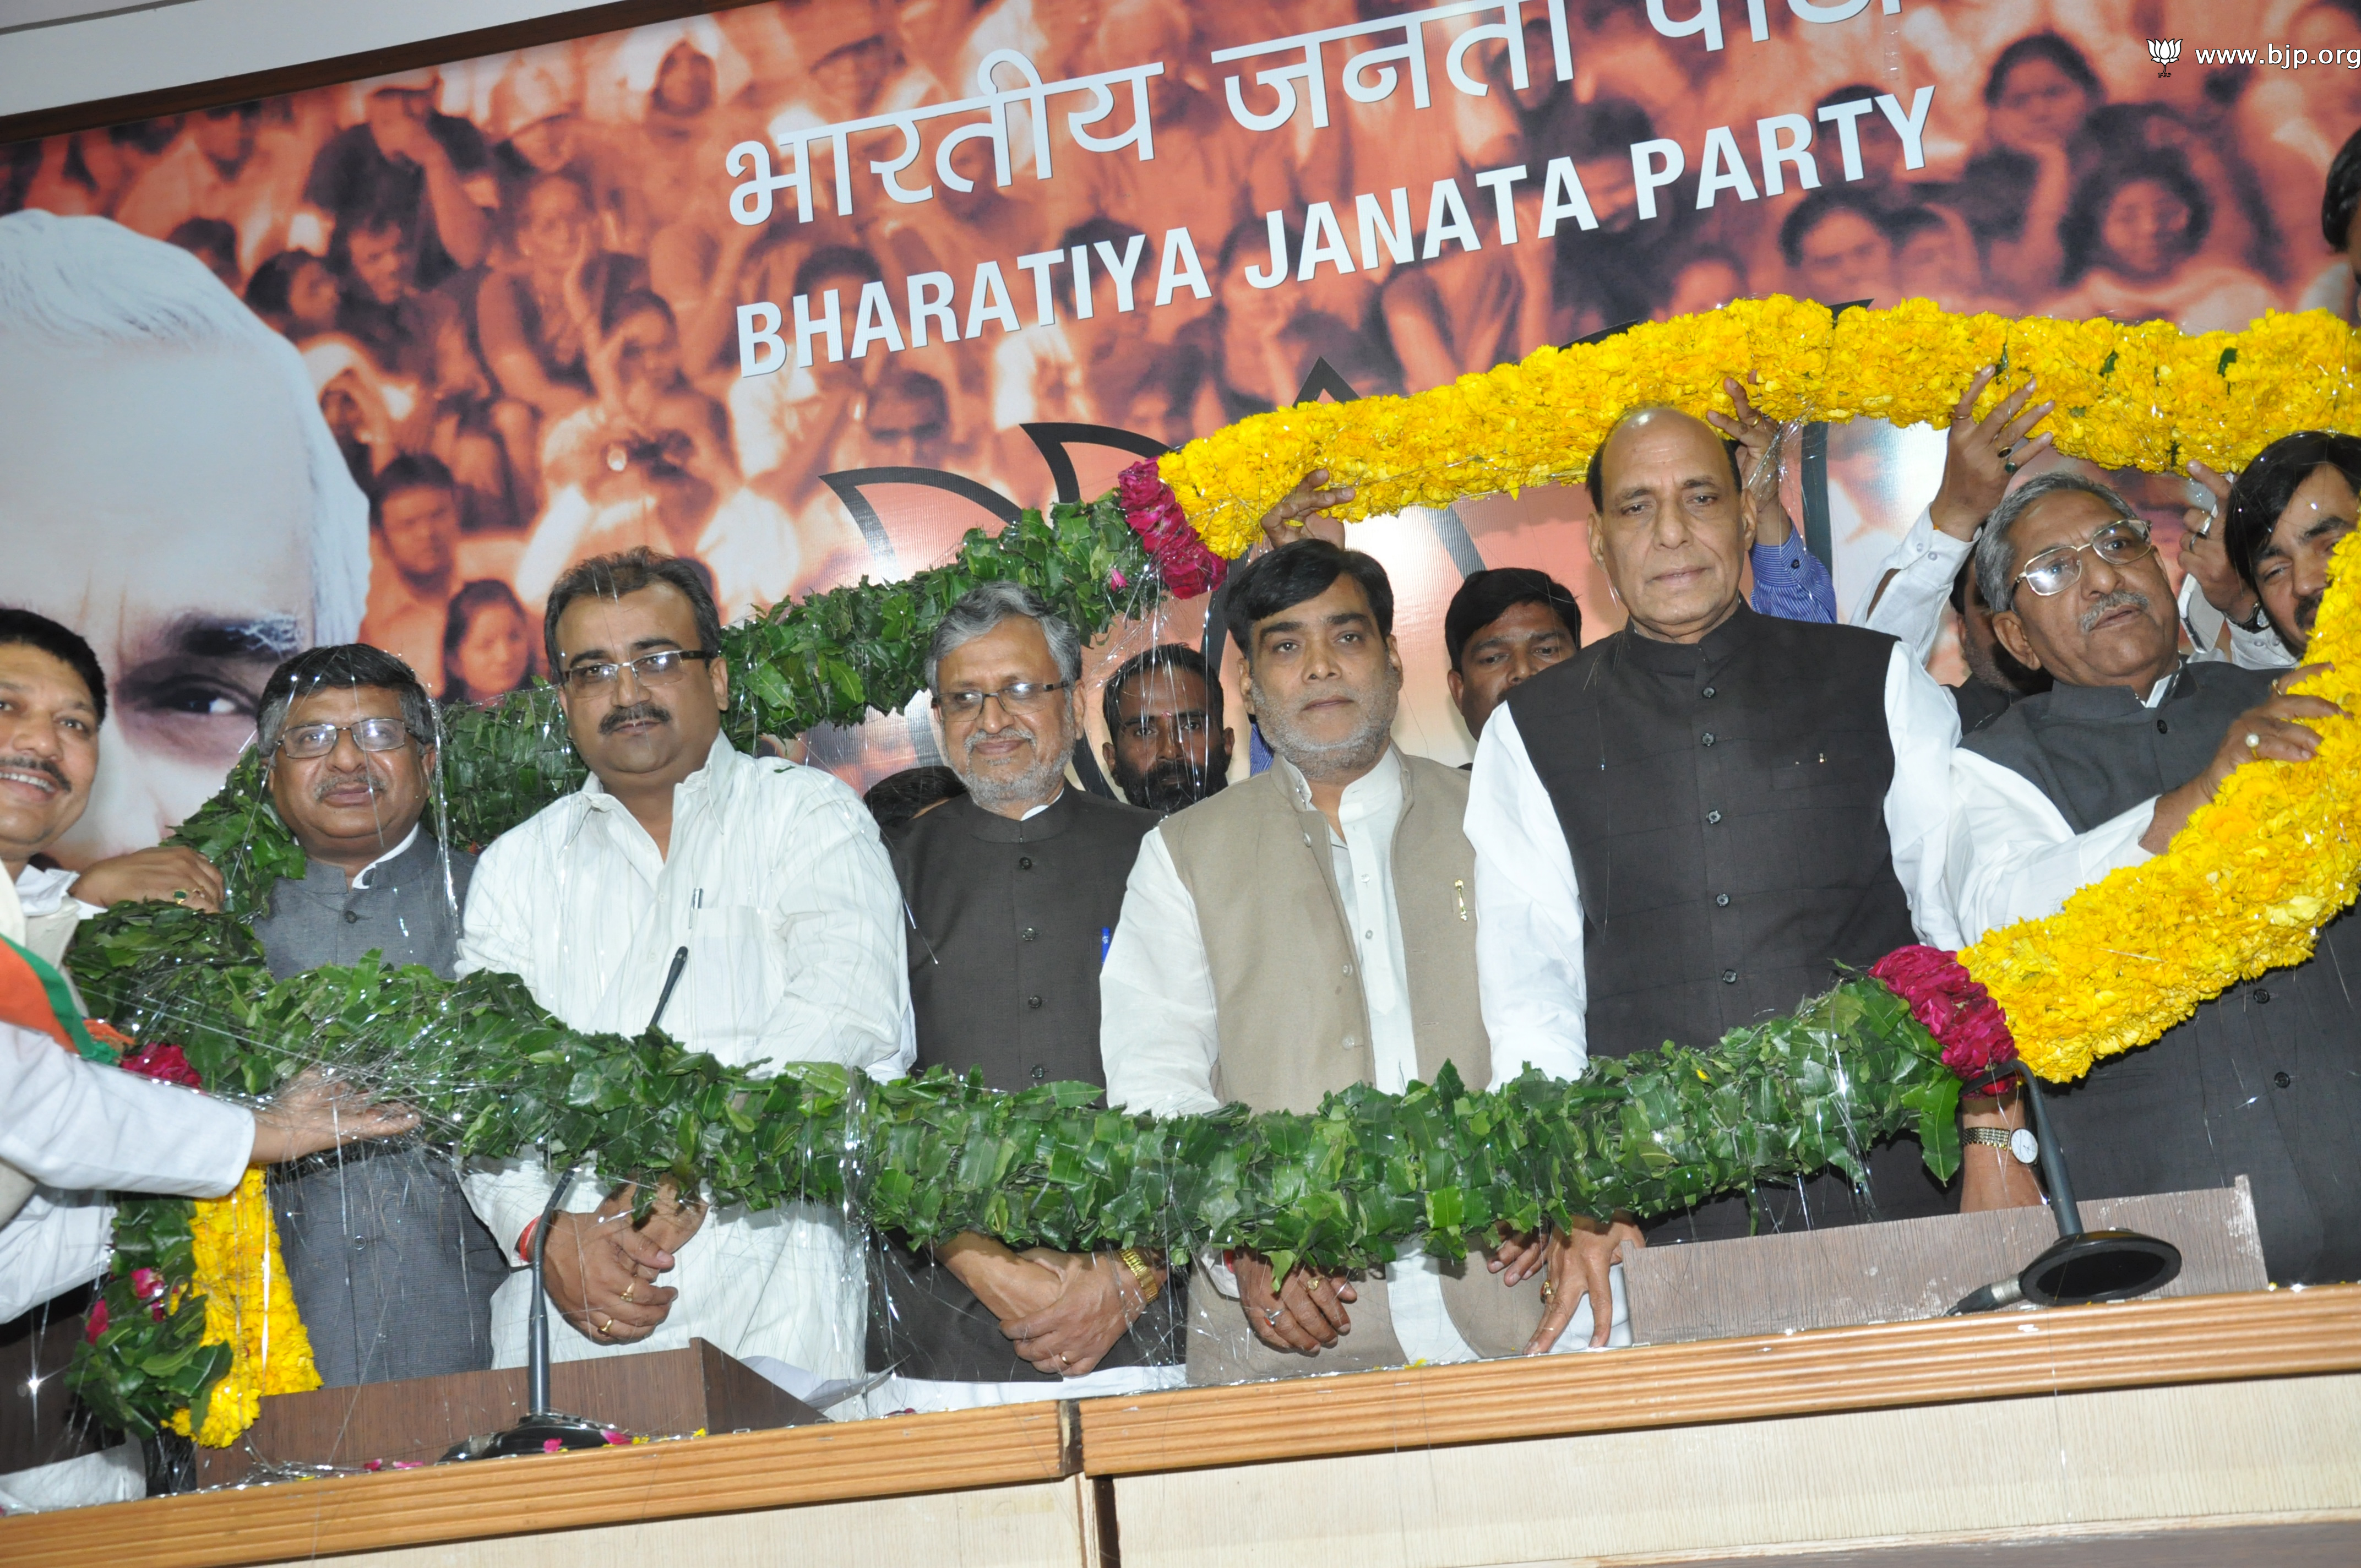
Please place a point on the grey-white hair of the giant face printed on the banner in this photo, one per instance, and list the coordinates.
(89, 282)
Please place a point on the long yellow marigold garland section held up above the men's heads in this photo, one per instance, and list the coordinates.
(2138, 396)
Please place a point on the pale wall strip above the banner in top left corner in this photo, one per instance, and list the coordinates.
(77, 51)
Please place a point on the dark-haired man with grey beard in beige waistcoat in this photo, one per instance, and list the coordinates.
(1304, 932)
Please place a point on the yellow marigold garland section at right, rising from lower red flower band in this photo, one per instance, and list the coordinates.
(2242, 889)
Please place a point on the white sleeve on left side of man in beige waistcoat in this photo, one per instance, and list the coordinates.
(1158, 1021)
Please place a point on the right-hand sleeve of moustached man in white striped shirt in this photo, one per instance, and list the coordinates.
(837, 910)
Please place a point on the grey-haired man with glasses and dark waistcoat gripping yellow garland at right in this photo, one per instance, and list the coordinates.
(2100, 773)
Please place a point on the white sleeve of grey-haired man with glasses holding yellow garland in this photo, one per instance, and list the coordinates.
(2015, 858)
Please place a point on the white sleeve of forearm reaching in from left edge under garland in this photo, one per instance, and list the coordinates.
(74, 1125)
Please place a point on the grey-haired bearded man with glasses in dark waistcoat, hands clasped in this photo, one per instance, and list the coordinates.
(1014, 891)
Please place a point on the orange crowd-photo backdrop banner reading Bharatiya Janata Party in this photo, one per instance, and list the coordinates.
(806, 292)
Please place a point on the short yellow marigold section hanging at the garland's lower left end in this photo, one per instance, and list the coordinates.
(249, 1307)
